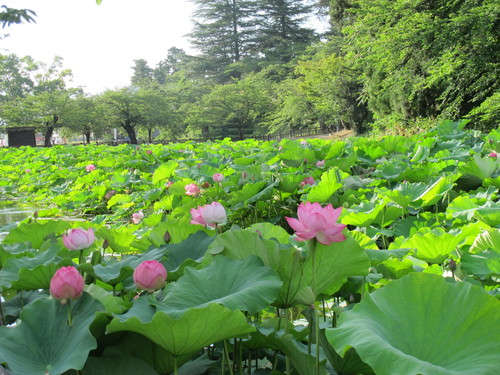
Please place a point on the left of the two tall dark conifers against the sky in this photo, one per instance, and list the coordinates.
(223, 32)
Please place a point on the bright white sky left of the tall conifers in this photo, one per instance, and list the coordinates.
(99, 42)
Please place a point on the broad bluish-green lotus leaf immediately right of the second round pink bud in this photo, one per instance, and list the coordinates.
(245, 284)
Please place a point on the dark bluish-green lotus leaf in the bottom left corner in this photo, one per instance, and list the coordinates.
(44, 343)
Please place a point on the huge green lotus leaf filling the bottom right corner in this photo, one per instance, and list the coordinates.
(422, 324)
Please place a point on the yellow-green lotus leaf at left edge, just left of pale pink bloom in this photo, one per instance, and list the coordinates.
(35, 232)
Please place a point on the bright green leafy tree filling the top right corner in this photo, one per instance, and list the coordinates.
(426, 58)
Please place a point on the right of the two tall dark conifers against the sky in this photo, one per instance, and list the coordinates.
(281, 35)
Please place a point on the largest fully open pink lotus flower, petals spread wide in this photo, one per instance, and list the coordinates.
(317, 222)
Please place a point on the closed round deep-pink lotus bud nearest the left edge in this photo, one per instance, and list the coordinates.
(67, 283)
